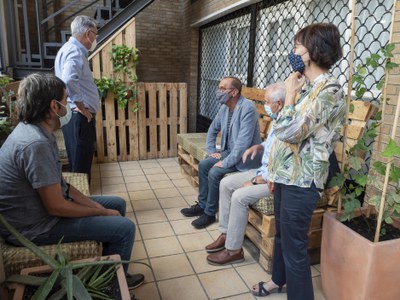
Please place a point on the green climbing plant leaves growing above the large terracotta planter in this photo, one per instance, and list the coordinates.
(355, 165)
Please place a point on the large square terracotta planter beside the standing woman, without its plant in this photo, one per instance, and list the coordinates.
(353, 267)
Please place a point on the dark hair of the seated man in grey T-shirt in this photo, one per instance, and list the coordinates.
(35, 94)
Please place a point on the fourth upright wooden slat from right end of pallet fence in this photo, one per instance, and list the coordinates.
(152, 113)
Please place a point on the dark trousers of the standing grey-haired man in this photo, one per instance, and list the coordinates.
(80, 142)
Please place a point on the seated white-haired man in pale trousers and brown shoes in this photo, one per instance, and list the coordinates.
(240, 190)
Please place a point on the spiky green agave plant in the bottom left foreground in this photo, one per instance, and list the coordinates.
(85, 280)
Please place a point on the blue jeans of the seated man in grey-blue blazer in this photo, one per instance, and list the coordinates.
(209, 179)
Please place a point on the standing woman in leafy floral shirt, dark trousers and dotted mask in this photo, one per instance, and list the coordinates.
(306, 133)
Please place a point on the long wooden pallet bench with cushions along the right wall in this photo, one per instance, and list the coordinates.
(261, 223)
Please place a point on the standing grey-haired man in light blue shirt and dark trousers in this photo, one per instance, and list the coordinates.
(72, 66)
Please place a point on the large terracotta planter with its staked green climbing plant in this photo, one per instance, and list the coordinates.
(352, 266)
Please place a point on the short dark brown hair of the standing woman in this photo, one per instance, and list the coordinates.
(322, 41)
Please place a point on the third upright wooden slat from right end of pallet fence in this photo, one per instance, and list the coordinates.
(163, 128)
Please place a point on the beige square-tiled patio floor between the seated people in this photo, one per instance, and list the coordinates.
(155, 192)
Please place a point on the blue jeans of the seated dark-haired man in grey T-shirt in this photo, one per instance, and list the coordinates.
(117, 233)
